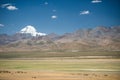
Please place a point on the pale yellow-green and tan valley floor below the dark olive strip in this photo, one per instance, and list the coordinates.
(60, 69)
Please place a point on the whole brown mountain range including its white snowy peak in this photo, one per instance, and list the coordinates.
(94, 39)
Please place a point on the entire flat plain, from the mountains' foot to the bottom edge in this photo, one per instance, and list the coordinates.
(59, 66)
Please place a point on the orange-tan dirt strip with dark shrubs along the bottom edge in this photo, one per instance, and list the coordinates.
(53, 75)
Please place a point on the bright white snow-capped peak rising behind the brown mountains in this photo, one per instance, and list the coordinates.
(31, 30)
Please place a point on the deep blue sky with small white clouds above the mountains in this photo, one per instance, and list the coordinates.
(57, 16)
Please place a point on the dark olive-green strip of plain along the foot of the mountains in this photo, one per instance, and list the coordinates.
(59, 54)
